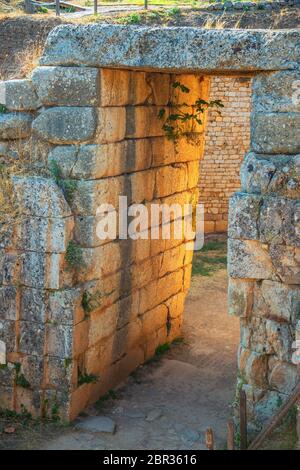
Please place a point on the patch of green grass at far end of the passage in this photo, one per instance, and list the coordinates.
(210, 259)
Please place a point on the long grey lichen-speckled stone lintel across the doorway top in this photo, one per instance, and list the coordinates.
(173, 49)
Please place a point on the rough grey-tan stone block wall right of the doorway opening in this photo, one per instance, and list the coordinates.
(264, 248)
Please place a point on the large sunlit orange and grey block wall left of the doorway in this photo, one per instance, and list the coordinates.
(78, 314)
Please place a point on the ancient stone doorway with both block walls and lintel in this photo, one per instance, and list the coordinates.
(91, 131)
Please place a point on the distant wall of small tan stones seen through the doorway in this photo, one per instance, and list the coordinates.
(227, 139)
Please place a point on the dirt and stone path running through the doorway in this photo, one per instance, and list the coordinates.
(185, 390)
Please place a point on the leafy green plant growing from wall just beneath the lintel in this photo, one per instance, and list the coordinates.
(183, 119)
